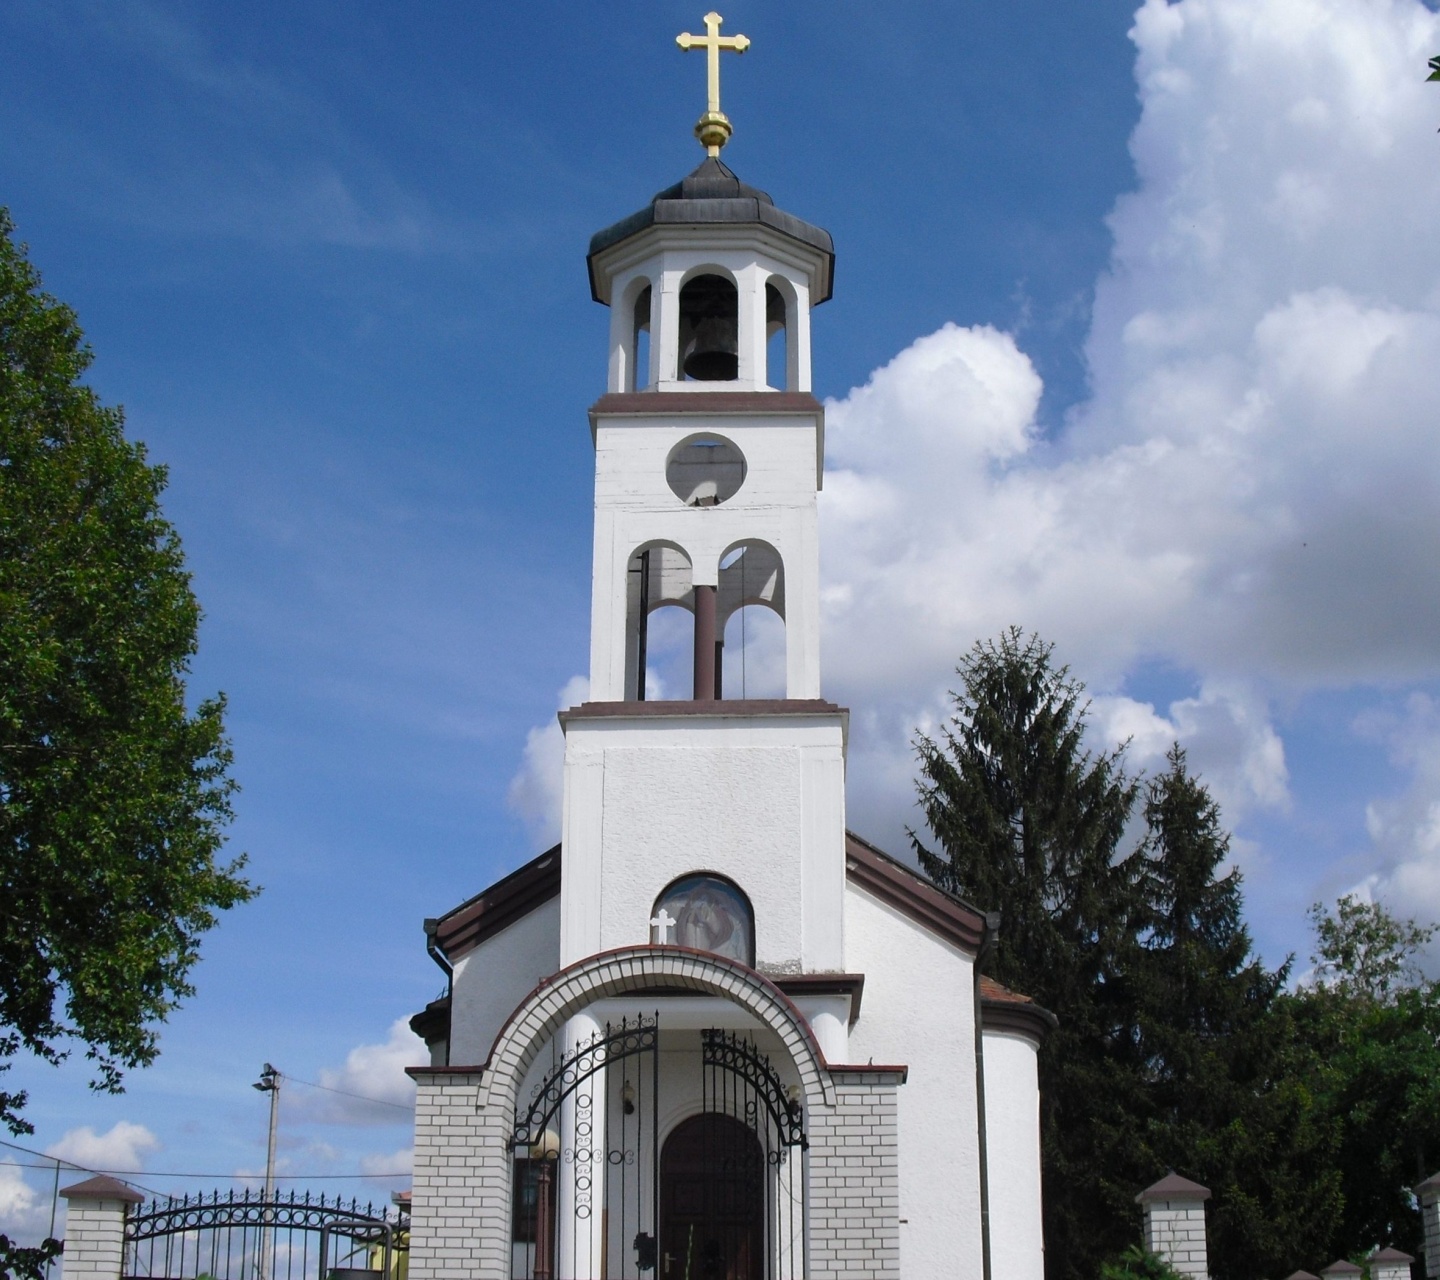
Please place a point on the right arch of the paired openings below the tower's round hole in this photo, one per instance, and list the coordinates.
(752, 623)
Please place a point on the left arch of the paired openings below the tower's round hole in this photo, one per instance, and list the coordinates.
(659, 627)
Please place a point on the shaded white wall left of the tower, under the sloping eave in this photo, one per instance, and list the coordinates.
(496, 977)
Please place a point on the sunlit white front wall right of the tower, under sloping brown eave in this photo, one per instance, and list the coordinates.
(919, 1011)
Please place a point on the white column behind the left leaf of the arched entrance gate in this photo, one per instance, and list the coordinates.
(581, 1193)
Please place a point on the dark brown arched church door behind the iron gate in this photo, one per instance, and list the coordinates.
(712, 1202)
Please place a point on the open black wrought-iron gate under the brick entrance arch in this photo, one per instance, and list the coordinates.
(588, 1197)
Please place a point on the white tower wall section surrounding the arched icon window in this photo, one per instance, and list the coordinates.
(760, 800)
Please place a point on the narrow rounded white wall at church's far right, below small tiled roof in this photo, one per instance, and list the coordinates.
(1013, 1147)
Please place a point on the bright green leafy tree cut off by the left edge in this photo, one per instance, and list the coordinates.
(113, 794)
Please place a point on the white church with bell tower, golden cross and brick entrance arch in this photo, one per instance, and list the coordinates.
(714, 1035)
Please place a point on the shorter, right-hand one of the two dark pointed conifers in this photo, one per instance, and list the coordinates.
(1226, 1102)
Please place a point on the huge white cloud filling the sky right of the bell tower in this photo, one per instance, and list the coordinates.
(1249, 495)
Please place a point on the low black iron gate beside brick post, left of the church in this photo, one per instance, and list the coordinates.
(240, 1236)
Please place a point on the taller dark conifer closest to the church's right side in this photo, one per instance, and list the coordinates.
(1029, 823)
